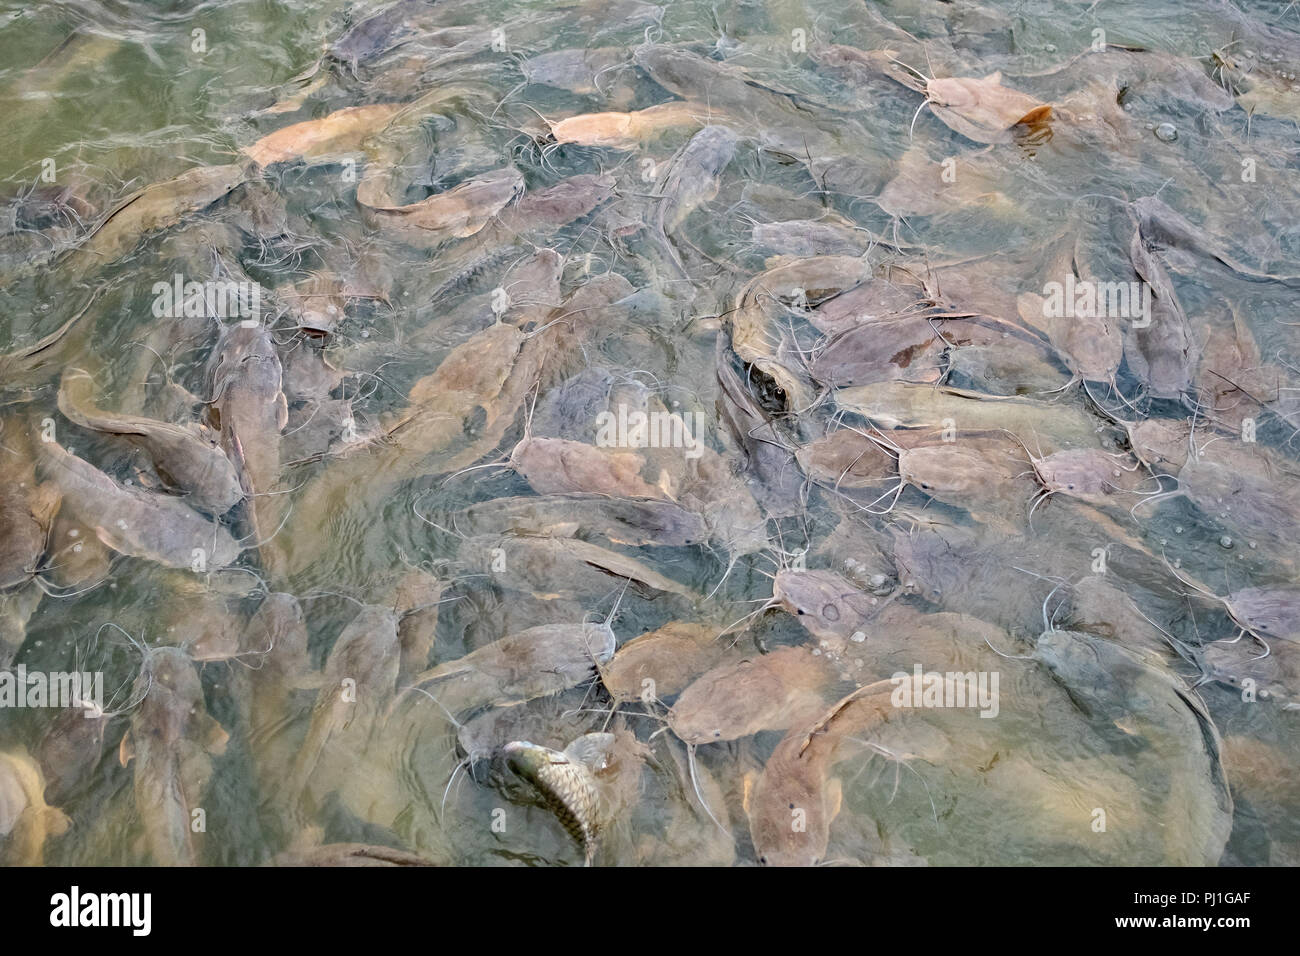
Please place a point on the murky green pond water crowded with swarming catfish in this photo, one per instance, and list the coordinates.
(1158, 736)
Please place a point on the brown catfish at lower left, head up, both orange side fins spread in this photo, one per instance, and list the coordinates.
(171, 741)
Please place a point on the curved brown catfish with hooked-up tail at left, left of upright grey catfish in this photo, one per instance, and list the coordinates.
(188, 457)
